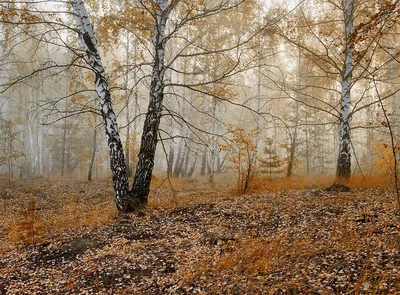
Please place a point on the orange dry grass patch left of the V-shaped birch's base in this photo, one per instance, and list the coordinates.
(30, 211)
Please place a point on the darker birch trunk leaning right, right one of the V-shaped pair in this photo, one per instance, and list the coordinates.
(142, 180)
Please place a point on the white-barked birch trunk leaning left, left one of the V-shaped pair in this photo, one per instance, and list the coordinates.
(117, 159)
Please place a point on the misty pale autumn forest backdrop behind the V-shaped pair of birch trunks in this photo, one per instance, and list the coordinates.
(281, 90)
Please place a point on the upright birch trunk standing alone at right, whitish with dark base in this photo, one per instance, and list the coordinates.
(343, 169)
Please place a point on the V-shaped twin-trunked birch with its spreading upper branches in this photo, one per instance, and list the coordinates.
(167, 22)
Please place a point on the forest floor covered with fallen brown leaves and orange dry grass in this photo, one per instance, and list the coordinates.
(64, 237)
